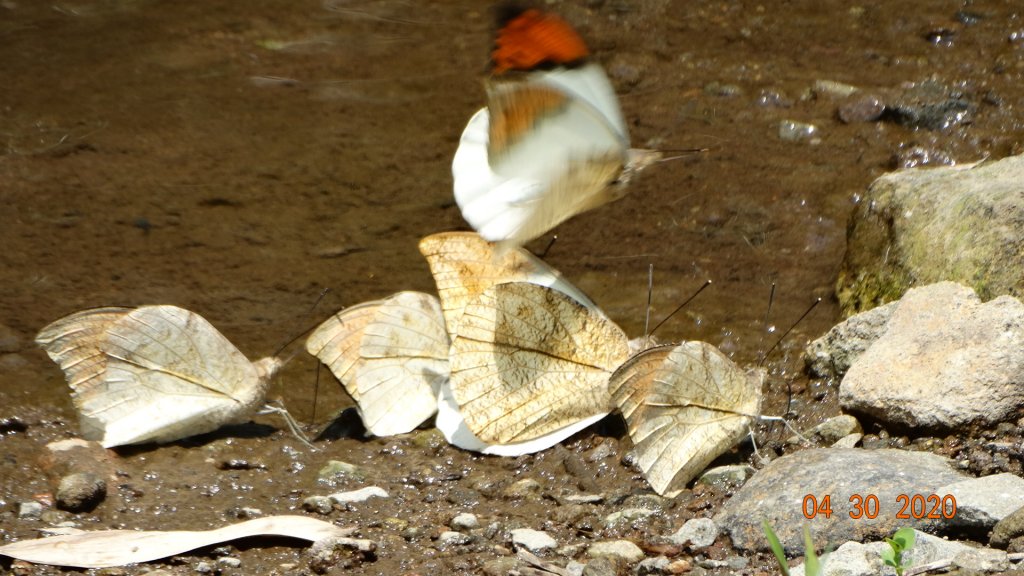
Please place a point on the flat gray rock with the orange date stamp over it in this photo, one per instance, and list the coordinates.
(778, 495)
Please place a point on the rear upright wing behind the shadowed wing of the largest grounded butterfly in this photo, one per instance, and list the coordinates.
(464, 266)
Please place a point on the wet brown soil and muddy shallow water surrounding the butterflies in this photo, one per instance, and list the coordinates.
(268, 163)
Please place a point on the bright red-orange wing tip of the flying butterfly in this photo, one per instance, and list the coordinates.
(534, 38)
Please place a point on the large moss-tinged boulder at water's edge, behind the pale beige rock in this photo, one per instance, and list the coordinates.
(964, 224)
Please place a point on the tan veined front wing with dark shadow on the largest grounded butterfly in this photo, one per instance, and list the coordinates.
(529, 361)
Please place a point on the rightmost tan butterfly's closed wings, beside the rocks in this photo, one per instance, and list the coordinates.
(685, 406)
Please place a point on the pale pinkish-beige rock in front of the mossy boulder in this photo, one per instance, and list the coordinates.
(946, 361)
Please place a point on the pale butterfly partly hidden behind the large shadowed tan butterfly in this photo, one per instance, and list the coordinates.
(392, 356)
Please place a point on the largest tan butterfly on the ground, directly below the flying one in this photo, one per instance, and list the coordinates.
(531, 354)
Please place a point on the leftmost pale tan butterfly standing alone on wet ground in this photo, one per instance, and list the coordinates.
(153, 375)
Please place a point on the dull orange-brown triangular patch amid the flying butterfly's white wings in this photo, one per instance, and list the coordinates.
(516, 110)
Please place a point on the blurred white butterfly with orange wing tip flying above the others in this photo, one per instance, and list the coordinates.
(551, 143)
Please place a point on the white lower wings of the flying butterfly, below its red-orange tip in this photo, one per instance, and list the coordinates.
(540, 154)
